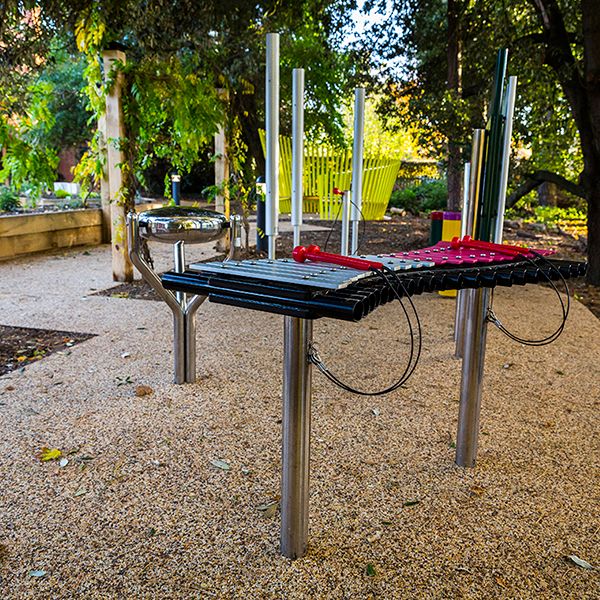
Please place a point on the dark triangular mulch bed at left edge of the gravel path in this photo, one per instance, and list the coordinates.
(20, 346)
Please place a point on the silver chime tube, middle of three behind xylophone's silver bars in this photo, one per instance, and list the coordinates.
(297, 151)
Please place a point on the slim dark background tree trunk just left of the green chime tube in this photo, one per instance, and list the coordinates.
(454, 173)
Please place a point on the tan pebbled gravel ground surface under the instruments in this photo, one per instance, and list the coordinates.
(140, 511)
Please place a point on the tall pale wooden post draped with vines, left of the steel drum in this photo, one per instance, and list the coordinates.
(115, 130)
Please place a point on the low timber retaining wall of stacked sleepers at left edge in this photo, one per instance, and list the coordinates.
(24, 234)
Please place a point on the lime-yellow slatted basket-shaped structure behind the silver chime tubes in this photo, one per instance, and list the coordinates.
(326, 167)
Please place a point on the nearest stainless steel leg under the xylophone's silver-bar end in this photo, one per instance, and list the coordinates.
(295, 470)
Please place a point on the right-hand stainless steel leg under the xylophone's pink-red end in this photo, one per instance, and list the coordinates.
(477, 302)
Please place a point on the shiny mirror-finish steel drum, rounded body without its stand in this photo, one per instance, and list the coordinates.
(177, 223)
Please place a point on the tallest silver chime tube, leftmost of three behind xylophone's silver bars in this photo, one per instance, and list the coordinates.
(272, 142)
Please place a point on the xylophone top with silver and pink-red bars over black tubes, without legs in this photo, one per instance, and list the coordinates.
(314, 289)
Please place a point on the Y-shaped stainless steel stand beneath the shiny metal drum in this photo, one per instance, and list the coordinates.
(184, 310)
